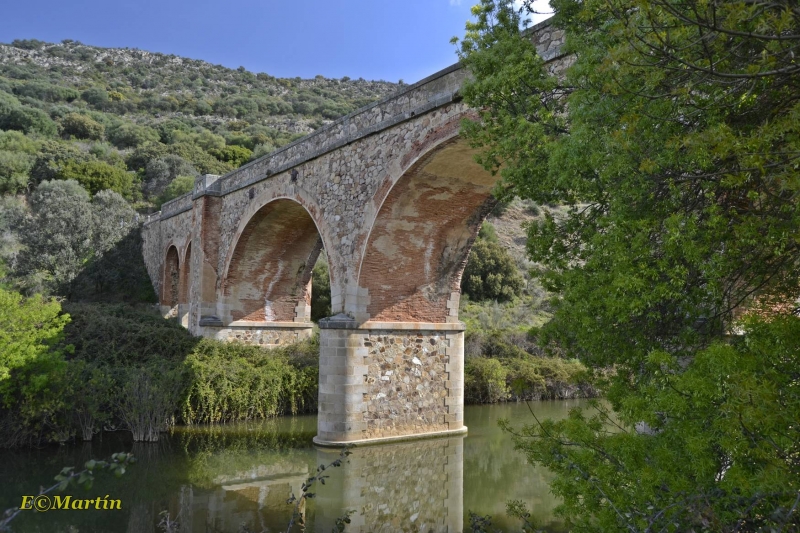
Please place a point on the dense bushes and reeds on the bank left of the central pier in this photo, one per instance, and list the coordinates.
(68, 375)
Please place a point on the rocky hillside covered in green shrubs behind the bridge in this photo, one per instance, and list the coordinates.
(104, 112)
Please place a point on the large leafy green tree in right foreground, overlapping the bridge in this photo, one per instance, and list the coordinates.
(673, 137)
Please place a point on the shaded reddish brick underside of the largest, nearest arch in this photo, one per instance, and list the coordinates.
(422, 234)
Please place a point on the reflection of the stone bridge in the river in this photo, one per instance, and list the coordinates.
(408, 486)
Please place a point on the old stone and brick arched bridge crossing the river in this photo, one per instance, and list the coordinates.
(394, 197)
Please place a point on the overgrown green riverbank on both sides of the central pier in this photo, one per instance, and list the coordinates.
(126, 368)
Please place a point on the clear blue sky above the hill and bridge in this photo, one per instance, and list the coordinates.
(371, 39)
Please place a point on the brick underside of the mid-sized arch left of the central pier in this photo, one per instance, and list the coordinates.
(268, 270)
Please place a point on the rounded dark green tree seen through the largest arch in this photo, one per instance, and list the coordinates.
(491, 273)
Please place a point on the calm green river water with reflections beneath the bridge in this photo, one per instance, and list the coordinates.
(236, 478)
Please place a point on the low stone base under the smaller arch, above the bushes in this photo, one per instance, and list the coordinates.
(262, 333)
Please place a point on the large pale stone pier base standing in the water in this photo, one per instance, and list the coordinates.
(389, 381)
